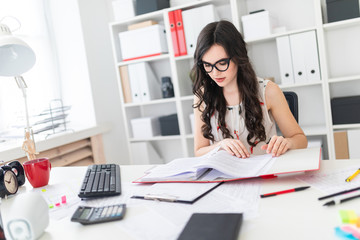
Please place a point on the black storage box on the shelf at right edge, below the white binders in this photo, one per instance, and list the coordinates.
(345, 110)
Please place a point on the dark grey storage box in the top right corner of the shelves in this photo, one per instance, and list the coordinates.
(338, 10)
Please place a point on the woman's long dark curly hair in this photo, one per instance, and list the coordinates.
(211, 96)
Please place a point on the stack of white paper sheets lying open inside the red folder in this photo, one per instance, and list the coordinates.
(217, 164)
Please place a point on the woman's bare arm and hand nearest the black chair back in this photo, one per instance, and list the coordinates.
(293, 136)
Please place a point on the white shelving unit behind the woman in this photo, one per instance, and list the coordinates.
(339, 57)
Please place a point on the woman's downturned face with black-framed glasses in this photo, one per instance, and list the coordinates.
(224, 72)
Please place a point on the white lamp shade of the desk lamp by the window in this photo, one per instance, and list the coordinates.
(16, 57)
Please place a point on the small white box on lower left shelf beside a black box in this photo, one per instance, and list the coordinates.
(145, 127)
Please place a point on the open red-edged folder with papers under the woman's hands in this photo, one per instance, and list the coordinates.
(220, 166)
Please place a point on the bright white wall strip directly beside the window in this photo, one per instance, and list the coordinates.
(71, 56)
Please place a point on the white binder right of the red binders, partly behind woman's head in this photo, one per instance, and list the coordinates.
(194, 21)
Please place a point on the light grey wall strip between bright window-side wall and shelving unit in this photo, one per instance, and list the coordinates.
(95, 16)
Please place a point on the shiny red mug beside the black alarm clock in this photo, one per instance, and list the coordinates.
(37, 171)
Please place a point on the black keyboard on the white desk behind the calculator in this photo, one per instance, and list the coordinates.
(101, 180)
